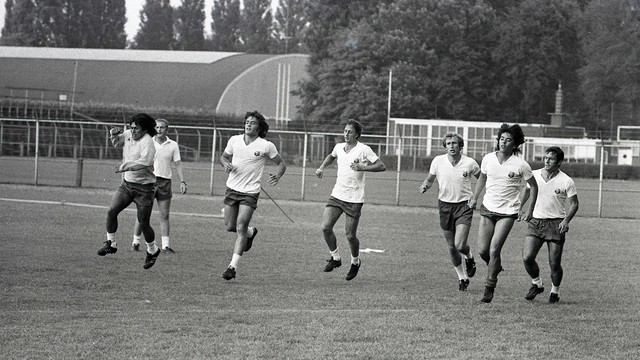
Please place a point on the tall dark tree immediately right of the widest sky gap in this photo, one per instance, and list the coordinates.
(156, 26)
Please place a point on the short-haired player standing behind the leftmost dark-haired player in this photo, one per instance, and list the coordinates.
(167, 153)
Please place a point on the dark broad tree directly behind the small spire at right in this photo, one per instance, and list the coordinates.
(537, 48)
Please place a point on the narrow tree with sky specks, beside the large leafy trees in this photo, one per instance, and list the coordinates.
(290, 26)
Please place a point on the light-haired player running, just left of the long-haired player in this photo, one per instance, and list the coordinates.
(454, 171)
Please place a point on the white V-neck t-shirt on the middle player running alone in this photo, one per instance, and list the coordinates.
(350, 183)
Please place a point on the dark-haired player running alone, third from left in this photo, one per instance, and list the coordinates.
(244, 159)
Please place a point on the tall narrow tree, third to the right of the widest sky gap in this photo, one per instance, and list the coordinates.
(225, 25)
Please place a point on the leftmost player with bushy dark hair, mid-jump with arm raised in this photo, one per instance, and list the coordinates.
(138, 182)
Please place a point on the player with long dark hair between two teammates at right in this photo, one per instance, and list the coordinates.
(504, 174)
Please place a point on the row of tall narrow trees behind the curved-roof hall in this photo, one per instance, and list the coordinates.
(244, 26)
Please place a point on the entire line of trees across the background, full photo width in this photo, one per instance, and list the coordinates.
(483, 60)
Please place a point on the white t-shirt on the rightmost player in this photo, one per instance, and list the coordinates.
(552, 195)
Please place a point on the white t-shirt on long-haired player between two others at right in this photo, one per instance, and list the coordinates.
(504, 182)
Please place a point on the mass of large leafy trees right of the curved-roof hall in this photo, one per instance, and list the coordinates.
(485, 60)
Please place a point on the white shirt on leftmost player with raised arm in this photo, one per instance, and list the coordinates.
(138, 152)
